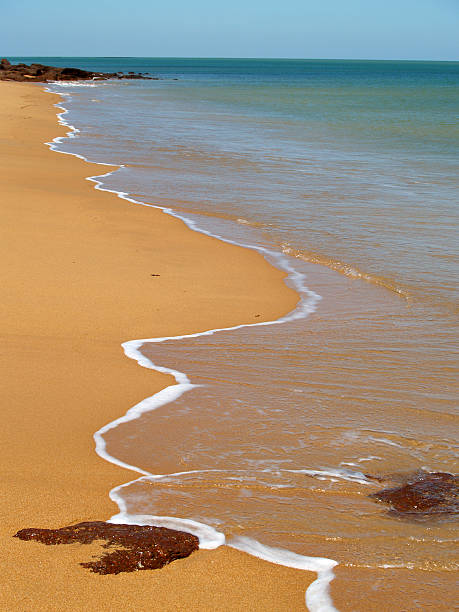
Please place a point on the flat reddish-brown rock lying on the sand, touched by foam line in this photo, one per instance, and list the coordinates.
(135, 547)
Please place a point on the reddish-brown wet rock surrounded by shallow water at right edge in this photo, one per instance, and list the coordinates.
(423, 495)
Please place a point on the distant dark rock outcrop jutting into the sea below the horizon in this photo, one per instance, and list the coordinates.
(41, 73)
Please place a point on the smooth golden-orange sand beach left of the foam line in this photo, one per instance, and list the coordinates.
(45, 482)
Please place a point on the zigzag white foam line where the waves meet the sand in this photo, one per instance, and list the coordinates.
(317, 596)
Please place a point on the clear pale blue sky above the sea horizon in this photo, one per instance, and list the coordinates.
(373, 29)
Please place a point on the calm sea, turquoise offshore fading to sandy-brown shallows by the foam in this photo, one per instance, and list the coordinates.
(350, 169)
